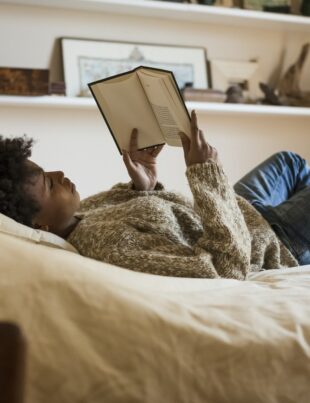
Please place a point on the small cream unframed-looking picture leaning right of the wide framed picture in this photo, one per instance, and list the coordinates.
(226, 73)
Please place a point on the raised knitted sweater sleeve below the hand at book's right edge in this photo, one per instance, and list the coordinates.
(226, 236)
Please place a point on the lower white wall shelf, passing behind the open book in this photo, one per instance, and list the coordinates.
(61, 102)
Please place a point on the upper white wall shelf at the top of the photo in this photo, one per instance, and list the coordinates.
(179, 11)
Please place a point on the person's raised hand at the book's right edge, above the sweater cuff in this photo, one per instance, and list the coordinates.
(197, 150)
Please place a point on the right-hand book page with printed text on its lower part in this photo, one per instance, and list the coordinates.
(166, 103)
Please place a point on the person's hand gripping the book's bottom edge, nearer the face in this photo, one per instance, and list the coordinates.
(141, 164)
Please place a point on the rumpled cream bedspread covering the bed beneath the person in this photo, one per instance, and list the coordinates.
(102, 334)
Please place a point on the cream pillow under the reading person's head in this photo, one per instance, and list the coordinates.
(12, 227)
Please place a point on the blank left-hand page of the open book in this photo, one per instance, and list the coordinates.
(125, 106)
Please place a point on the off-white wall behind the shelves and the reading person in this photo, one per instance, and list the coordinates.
(78, 142)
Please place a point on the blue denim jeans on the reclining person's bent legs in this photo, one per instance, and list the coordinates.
(279, 188)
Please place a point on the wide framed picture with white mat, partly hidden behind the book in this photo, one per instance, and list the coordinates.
(86, 61)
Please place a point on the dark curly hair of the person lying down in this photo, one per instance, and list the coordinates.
(15, 202)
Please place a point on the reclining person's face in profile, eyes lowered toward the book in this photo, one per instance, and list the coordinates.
(57, 197)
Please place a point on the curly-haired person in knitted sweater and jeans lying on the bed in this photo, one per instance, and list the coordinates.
(261, 223)
